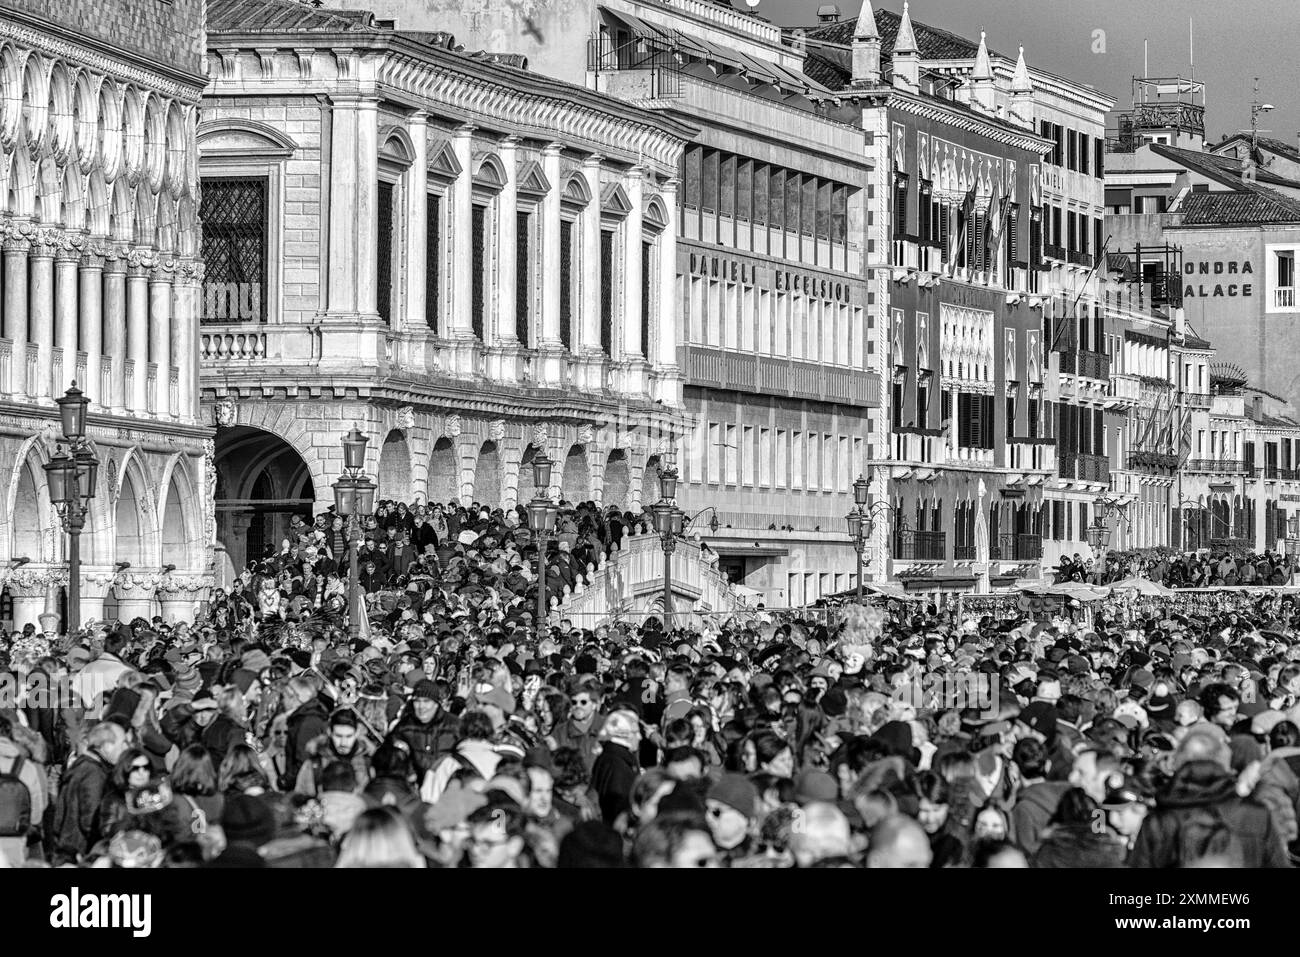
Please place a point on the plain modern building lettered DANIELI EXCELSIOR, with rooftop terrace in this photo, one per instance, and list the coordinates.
(775, 310)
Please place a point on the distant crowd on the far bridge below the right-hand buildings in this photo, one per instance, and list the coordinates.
(1173, 569)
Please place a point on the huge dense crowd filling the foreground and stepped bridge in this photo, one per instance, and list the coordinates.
(457, 734)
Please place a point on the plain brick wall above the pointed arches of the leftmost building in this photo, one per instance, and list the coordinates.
(166, 32)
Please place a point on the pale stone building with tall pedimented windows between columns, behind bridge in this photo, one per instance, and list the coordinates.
(470, 262)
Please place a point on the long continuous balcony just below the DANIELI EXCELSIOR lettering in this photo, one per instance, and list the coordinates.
(725, 369)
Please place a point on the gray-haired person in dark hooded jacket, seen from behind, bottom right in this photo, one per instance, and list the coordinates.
(1201, 815)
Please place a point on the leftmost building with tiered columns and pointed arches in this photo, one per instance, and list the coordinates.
(101, 287)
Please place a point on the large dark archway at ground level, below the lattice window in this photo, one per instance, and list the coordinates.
(262, 484)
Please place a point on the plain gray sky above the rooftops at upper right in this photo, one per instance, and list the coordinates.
(1234, 41)
